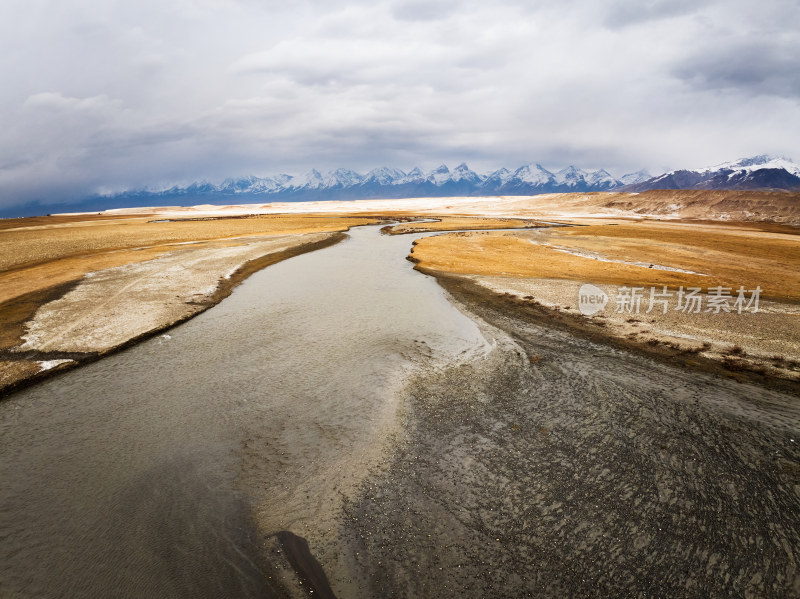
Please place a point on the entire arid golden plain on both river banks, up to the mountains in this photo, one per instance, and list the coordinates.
(74, 287)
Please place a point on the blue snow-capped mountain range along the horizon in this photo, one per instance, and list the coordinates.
(758, 172)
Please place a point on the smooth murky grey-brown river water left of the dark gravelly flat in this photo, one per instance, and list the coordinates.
(138, 475)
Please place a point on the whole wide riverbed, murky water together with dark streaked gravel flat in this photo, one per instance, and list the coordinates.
(424, 444)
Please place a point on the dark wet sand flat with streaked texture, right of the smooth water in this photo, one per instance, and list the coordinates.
(558, 467)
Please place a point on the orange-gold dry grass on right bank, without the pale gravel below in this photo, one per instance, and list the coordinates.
(728, 255)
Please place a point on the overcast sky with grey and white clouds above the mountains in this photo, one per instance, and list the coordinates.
(113, 94)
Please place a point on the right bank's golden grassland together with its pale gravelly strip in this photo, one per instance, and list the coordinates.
(548, 266)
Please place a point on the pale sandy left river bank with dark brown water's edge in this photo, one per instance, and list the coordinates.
(61, 327)
